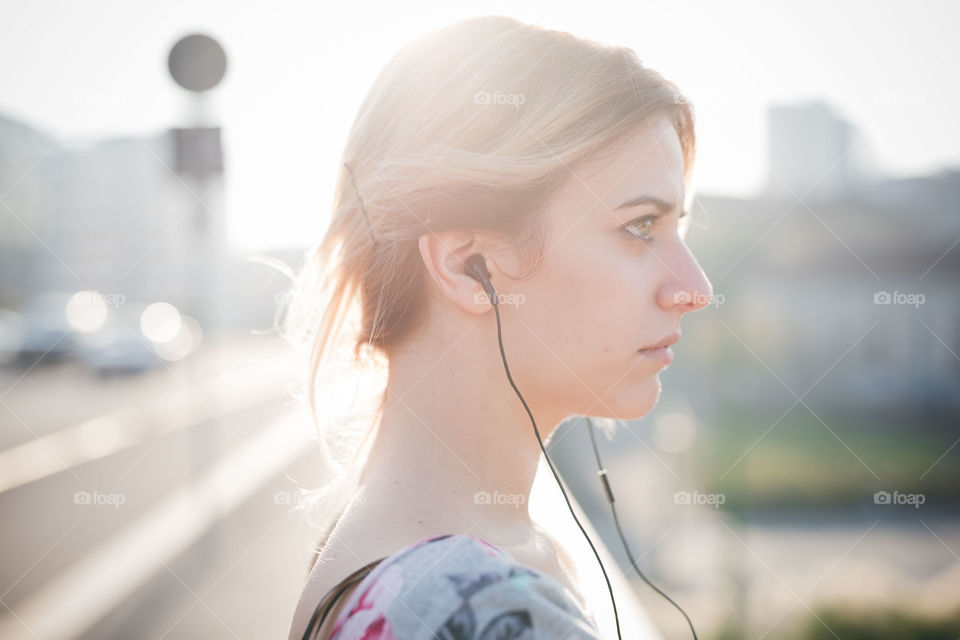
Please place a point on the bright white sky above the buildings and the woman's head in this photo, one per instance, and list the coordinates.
(298, 70)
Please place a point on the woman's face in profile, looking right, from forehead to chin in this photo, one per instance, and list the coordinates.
(615, 278)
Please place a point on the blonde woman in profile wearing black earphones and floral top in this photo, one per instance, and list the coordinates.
(563, 163)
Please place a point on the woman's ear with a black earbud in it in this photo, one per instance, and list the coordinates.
(444, 254)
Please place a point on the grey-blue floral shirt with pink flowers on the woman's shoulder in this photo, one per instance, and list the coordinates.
(459, 587)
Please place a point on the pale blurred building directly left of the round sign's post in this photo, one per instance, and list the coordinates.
(116, 223)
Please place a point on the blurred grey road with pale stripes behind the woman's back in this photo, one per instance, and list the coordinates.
(137, 506)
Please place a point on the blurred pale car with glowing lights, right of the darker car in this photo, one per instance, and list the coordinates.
(117, 348)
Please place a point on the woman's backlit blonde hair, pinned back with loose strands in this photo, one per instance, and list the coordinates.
(473, 126)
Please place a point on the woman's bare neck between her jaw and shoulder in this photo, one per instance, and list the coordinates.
(455, 450)
